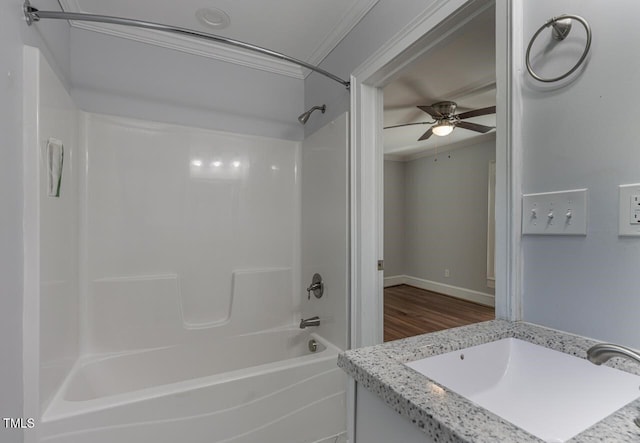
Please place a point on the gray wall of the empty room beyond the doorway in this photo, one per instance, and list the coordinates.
(436, 217)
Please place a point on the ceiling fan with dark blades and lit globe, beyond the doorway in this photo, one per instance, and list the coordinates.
(446, 119)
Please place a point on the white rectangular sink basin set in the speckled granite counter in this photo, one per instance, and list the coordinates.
(549, 394)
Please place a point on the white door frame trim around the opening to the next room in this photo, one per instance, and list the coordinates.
(439, 20)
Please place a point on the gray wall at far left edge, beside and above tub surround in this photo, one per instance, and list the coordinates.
(13, 34)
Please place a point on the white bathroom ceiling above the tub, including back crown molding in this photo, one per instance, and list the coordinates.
(304, 29)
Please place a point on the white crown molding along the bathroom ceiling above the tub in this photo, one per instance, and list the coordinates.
(226, 53)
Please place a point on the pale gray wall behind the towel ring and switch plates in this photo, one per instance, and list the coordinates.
(584, 285)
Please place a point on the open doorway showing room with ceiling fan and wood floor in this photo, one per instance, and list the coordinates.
(438, 194)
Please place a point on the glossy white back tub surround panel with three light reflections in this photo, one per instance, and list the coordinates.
(176, 244)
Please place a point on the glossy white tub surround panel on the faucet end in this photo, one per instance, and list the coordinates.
(324, 227)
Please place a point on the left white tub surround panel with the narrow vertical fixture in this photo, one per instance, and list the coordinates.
(51, 335)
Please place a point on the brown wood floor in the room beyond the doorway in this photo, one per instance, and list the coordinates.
(410, 311)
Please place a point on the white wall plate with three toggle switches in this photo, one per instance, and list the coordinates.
(555, 213)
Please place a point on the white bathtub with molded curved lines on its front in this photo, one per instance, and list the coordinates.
(265, 387)
